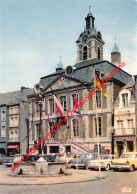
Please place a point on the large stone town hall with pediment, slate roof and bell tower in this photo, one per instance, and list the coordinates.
(79, 133)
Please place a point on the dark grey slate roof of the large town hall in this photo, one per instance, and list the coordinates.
(84, 72)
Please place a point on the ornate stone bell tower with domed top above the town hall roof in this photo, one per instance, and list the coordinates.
(90, 42)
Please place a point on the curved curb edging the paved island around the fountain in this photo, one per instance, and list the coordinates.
(68, 182)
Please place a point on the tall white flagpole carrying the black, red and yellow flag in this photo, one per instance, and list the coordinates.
(97, 126)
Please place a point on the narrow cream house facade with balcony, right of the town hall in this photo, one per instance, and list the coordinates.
(124, 123)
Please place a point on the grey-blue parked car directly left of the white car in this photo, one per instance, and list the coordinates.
(82, 161)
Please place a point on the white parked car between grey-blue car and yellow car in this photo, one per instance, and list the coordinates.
(105, 161)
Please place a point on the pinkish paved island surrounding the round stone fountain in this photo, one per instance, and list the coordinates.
(77, 176)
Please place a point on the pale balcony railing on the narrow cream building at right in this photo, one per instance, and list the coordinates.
(125, 131)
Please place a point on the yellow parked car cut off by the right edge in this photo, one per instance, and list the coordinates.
(126, 161)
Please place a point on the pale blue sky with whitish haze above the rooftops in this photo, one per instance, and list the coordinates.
(35, 33)
